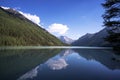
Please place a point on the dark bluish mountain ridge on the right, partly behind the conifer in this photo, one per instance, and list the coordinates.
(96, 39)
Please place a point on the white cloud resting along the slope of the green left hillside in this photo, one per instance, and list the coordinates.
(33, 18)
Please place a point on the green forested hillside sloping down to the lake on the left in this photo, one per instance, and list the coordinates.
(16, 30)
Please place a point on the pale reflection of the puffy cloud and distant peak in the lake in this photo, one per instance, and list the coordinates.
(59, 63)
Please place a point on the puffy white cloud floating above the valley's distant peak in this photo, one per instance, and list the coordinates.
(58, 28)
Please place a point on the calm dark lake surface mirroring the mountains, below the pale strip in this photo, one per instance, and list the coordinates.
(59, 64)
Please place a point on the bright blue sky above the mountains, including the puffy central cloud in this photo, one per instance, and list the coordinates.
(72, 18)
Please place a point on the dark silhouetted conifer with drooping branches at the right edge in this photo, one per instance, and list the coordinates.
(112, 21)
